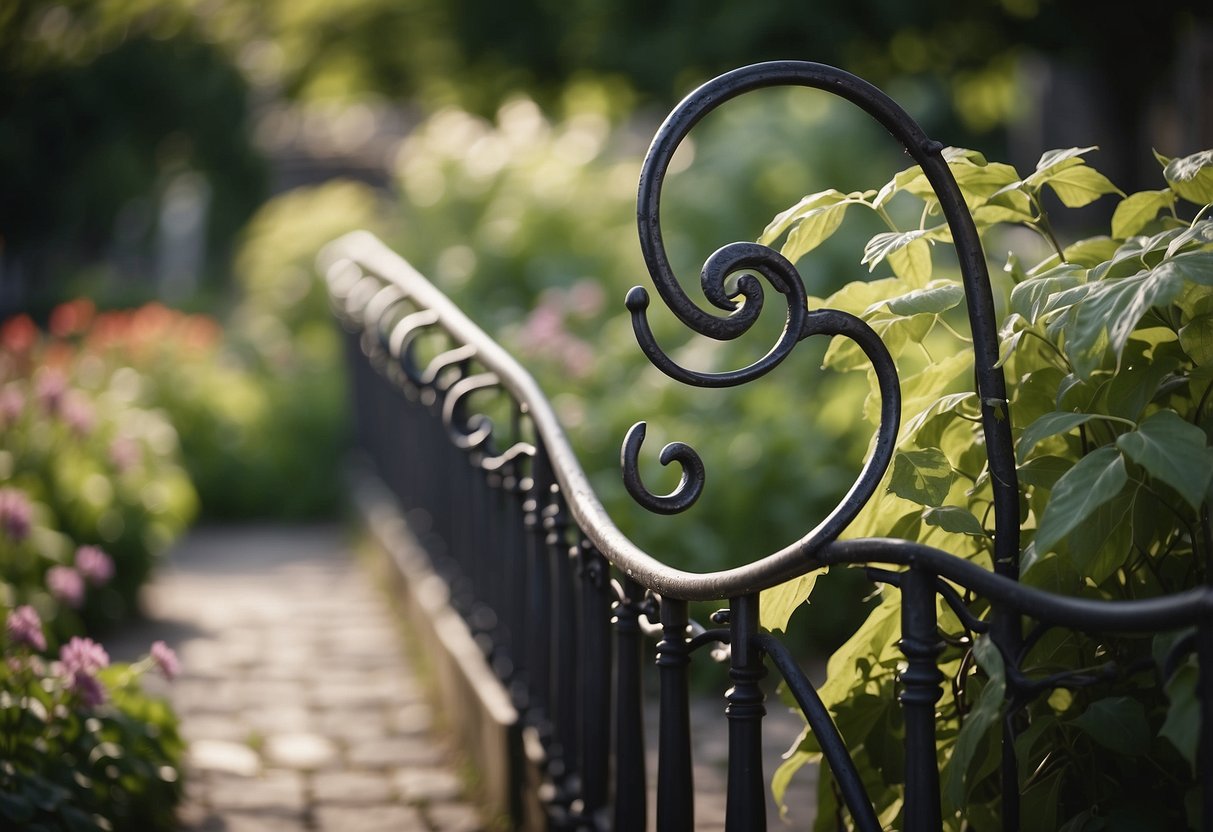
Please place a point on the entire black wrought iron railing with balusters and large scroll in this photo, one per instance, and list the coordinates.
(557, 595)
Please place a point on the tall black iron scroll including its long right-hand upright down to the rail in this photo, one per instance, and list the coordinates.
(745, 301)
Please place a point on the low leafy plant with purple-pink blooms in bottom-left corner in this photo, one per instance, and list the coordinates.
(83, 746)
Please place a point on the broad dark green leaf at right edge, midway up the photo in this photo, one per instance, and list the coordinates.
(1174, 452)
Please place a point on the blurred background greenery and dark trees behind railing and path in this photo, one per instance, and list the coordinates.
(200, 152)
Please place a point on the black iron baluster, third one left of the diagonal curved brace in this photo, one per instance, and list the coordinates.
(630, 778)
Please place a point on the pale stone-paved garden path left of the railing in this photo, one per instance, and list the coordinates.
(299, 706)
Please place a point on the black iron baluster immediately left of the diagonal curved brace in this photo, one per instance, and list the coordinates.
(747, 808)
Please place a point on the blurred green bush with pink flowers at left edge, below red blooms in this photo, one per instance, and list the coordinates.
(96, 463)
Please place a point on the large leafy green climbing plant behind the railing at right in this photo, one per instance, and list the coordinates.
(1108, 349)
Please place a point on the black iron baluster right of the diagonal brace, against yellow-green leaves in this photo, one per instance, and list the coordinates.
(920, 691)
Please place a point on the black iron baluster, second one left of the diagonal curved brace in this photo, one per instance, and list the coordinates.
(676, 806)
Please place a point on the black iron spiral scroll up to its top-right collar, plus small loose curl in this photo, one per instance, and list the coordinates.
(745, 301)
